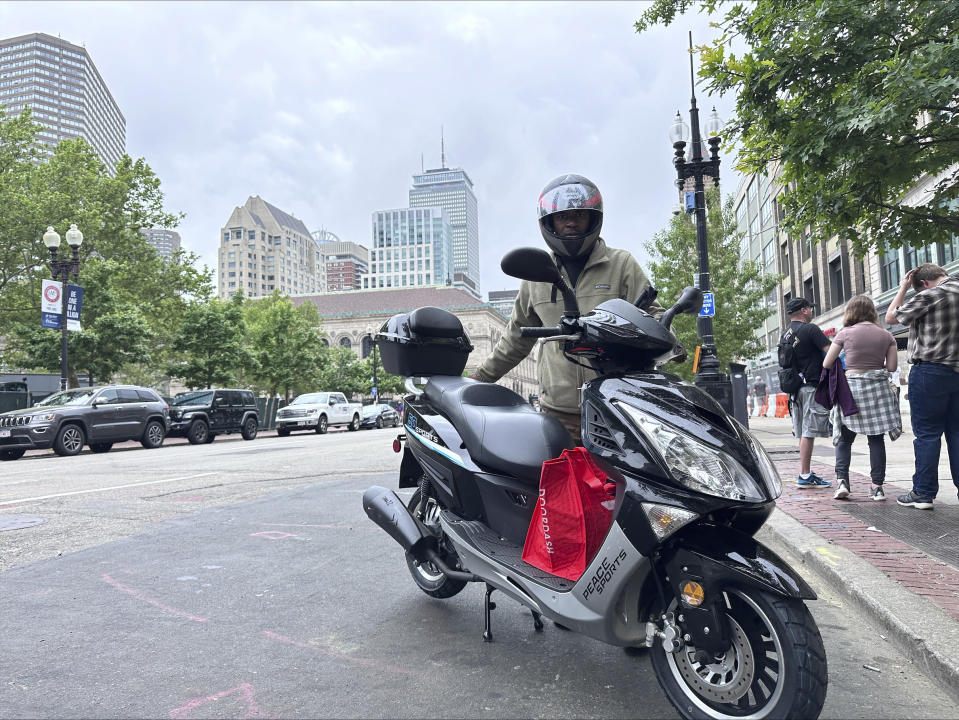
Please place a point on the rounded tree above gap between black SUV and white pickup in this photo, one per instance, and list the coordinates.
(285, 346)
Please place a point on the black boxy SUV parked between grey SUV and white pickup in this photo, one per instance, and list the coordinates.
(201, 415)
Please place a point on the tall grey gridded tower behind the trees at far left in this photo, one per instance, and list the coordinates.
(60, 84)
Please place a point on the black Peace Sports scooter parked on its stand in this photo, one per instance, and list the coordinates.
(679, 570)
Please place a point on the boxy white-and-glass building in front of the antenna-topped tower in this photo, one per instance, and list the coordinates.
(411, 248)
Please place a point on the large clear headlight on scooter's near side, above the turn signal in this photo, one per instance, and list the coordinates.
(694, 464)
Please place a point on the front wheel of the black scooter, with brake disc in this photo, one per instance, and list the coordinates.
(775, 666)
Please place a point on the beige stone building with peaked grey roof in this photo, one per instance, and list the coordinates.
(263, 249)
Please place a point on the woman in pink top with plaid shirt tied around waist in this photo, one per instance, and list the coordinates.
(870, 357)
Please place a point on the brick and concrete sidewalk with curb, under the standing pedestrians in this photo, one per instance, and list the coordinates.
(898, 565)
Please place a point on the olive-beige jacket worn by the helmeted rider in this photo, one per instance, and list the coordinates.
(608, 274)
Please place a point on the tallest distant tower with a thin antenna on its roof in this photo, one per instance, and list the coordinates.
(452, 190)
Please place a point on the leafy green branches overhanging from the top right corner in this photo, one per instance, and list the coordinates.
(857, 99)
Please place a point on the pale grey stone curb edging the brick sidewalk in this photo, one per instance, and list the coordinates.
(918, 629)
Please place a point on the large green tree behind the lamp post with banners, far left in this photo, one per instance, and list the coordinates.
(134, 301)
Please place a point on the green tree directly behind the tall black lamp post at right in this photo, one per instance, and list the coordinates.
(739, 286)
